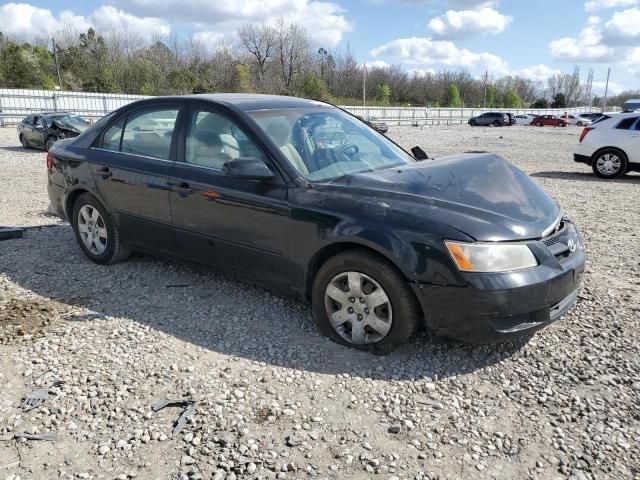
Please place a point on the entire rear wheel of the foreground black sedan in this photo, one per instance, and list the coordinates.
(91, 220)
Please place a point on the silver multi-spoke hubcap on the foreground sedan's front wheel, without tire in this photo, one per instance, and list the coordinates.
(358, 308)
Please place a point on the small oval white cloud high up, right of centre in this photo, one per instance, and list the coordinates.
(468, 23)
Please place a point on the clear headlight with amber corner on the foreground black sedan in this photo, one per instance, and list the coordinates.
(488, 257)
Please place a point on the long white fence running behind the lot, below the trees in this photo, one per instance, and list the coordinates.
(15, 104)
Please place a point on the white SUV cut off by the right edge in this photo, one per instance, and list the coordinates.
(611, 145)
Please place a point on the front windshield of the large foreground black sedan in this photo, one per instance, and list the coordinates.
(324, 143)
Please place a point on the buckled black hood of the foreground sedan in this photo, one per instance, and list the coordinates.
(481, 195)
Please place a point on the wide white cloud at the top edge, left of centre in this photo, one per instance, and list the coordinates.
(325, 22)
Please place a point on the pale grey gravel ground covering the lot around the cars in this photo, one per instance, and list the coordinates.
(276, 400)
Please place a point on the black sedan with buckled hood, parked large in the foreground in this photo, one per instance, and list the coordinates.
(303, 198)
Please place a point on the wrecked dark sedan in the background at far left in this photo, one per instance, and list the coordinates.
(42, 130)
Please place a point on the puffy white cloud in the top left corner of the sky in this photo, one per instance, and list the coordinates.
(26, 21)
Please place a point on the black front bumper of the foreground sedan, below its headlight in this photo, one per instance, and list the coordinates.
(501, 306)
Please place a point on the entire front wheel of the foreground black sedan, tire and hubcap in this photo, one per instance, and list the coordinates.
(397, 311)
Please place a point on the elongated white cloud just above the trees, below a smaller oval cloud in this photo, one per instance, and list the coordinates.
(426, 51)
